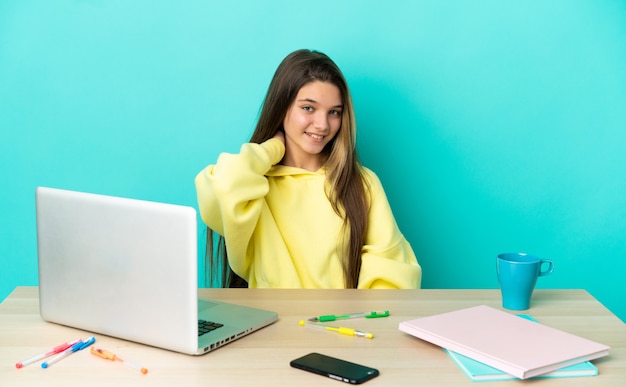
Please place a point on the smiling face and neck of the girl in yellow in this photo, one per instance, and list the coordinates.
(312, 121)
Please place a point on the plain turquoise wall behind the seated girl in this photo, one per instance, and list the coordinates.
(495, 126)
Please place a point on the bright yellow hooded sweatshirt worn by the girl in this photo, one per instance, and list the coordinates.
(281, 231)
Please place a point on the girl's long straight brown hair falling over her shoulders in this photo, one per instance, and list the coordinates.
(345, 183)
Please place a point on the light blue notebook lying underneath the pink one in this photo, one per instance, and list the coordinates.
(478, 371)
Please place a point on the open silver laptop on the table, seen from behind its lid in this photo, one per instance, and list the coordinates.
(129, 269)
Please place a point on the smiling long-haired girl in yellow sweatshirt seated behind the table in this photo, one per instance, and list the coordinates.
(295, 208)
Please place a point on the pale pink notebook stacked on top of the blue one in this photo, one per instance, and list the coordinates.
(517, 346)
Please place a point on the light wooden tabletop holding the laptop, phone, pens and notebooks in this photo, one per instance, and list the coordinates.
(262, 359)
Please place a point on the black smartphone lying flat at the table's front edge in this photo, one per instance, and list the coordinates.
(334, 368)
